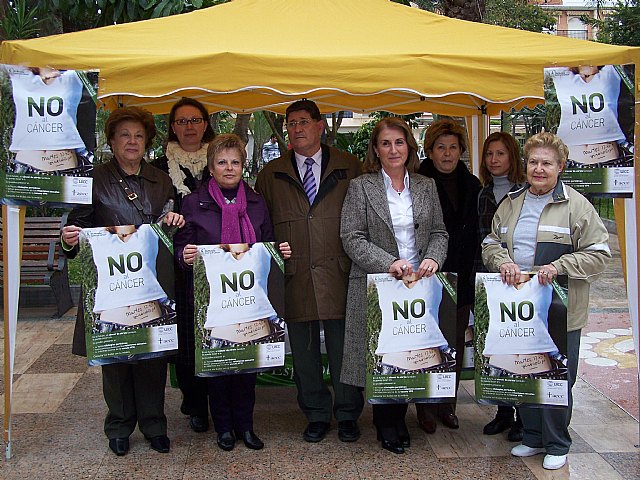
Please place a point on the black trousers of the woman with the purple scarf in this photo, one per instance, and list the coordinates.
(231, 400)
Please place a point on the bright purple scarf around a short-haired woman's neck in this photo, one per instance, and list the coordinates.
(236, 226)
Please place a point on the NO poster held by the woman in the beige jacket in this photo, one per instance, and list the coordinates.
(521, 341)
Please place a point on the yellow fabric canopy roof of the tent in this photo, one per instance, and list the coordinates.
(363, 56)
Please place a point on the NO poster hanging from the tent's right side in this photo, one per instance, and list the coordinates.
(591, 108)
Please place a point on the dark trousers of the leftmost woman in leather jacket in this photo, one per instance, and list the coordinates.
(134, 393)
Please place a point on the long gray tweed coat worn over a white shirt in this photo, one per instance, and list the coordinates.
(367, 236)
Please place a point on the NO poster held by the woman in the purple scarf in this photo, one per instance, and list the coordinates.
(238, 300)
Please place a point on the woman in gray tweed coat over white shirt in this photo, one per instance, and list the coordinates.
(391, 222)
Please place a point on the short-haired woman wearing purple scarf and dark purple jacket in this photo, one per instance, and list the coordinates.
(226, 210)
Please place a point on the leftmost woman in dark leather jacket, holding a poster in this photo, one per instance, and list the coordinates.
(127, 191)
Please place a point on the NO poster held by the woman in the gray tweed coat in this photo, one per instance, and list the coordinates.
(411, 323)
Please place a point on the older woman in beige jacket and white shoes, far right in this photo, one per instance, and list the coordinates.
(550, 228)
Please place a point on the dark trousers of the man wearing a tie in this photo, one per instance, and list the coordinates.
(314, 397)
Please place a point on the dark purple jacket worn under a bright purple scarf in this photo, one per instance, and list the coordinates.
(203, 219)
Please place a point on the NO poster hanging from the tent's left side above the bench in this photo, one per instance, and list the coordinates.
(48, 129)
